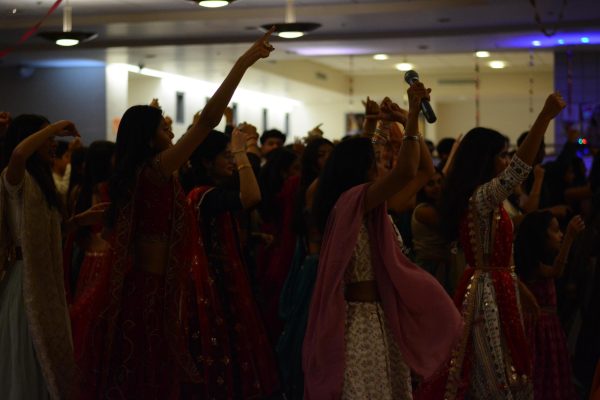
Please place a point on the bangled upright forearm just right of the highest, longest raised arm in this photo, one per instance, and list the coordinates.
(249, 189)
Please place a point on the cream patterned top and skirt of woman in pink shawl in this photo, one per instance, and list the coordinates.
(374, 366)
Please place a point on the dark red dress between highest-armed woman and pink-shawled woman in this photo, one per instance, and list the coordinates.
(252, 358)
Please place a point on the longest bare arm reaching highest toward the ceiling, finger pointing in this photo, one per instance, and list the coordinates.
(172, 158)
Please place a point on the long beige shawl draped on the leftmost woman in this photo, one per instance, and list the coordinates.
(43, 286)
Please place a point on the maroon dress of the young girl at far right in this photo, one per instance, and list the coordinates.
(552, 366)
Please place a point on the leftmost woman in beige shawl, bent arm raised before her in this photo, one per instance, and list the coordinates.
(36, 349)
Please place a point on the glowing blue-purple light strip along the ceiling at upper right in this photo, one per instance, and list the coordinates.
(541, 41)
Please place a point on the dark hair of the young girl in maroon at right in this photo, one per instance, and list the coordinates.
(531, 247)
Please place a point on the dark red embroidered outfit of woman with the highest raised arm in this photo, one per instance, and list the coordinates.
(116, 374)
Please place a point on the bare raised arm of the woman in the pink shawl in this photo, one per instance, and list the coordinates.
(408, 157)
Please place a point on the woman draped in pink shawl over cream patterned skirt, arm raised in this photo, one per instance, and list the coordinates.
(374, 315)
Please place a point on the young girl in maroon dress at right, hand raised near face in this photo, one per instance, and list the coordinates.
(541, 255)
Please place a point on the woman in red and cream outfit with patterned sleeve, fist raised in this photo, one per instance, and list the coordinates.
(492, 360)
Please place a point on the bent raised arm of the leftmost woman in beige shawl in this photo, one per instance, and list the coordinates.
(18, 159)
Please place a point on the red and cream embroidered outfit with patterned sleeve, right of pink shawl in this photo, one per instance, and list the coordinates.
(492, 360)
